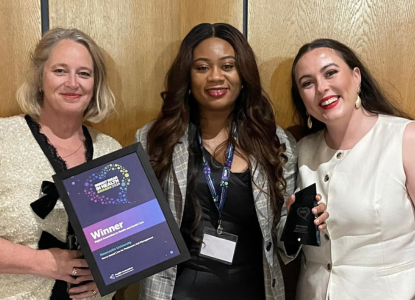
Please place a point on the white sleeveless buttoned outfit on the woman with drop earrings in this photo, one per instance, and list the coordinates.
(368, 249)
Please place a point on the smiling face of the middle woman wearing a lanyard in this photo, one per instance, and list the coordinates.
(215, 81)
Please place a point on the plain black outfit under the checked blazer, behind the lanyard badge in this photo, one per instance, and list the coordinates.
(203, 278)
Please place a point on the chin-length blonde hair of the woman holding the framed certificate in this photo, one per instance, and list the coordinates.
(30, 94)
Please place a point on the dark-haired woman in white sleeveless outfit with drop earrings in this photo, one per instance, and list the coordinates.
(359, 150)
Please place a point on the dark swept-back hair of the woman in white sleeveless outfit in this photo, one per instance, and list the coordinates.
(373, 98)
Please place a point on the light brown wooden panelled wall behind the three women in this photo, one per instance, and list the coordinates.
(141, 37)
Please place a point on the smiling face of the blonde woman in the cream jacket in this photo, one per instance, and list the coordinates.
(68, 79)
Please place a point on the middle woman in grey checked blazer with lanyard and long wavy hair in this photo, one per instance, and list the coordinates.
(217, 126)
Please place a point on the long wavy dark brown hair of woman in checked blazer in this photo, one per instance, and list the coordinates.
(253, 115)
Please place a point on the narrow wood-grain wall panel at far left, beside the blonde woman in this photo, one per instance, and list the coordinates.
(20, 30)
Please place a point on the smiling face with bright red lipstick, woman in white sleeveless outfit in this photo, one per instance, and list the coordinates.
(327, 86)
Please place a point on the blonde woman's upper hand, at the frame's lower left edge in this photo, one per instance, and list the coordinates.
(60, 264)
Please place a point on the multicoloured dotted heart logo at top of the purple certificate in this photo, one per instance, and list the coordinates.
(109, 186)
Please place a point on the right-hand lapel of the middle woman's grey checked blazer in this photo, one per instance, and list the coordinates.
(261, 199)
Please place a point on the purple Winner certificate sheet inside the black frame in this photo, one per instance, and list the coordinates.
(132, 204)
